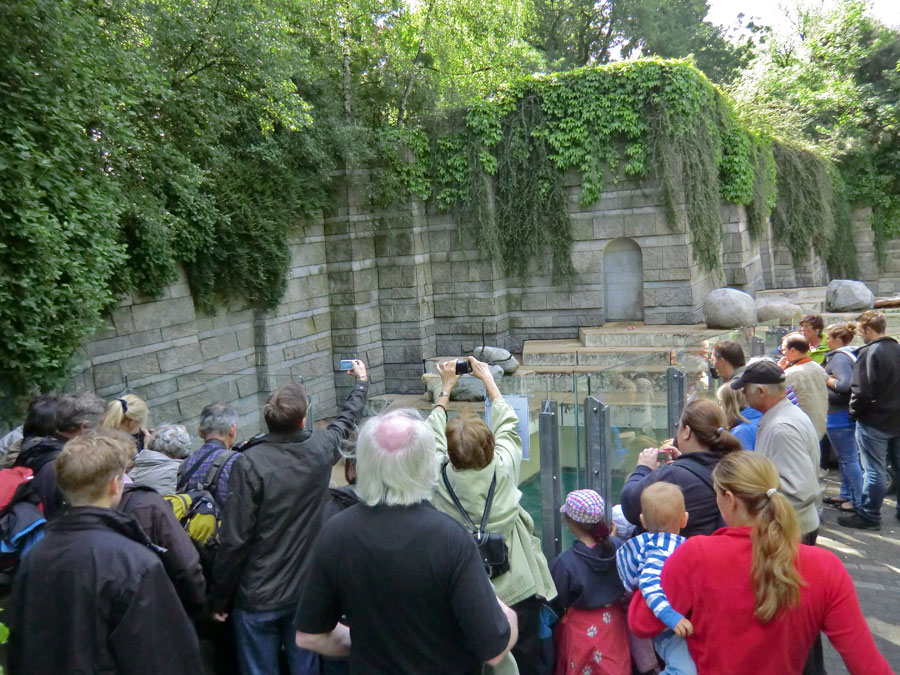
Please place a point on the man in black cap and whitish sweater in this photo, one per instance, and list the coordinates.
(787, 437)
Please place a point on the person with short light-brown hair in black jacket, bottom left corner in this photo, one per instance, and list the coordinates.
(92, 596)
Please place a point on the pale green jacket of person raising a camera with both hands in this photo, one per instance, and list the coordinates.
(528, 571)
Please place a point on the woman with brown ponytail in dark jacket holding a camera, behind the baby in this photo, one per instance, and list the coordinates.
(701, 440)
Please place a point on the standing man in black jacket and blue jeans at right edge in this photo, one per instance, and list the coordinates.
(875, 405)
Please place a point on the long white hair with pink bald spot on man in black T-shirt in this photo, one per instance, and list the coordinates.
(395, 459)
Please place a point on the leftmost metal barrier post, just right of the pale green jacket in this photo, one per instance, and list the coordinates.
(551, 488)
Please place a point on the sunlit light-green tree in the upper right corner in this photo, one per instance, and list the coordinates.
(836, 83)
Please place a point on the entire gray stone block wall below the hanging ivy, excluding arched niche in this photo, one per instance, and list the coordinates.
(407, 285)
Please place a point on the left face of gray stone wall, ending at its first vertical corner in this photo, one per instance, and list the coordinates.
(179, 360)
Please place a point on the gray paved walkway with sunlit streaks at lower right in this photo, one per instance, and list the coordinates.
(873, 560)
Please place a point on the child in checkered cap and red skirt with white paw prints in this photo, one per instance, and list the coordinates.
(591, 635)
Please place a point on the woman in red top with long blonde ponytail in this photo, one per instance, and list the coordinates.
(758, 598)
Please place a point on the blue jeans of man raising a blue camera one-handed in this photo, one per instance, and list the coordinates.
(260, 637)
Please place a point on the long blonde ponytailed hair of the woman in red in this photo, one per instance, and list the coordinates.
(753, 480)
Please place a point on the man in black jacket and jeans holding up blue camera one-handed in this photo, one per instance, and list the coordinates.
(271, 520)
